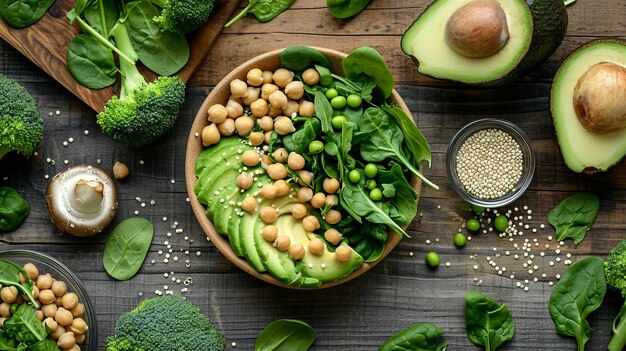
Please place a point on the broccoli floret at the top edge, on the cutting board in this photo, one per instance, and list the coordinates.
(183, 16)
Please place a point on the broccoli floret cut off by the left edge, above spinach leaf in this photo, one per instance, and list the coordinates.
(21, 125)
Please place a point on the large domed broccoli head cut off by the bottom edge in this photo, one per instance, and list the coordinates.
(165, 323)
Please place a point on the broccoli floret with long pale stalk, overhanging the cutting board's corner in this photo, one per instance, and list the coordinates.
(144, 112)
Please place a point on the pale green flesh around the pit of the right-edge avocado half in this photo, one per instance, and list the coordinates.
(582, 150)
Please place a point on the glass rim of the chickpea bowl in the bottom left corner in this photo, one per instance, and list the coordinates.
(70, 278)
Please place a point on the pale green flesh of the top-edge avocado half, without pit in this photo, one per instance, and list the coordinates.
(425, 42)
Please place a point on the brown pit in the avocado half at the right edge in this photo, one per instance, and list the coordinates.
(600, 98)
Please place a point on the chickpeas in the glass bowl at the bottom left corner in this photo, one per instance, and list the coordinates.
(59, 309)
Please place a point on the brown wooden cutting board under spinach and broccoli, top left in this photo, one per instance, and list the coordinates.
(45, 43)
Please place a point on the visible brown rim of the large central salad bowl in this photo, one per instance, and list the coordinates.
(192, 152)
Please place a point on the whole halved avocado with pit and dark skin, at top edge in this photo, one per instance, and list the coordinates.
(530, 33)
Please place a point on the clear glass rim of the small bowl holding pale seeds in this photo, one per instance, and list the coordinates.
(491, 123)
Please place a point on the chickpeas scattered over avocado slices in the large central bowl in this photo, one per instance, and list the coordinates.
(270, 100)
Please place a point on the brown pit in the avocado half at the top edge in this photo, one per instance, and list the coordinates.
(478, 29)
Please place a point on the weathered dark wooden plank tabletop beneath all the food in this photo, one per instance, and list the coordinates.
(400, 291)
